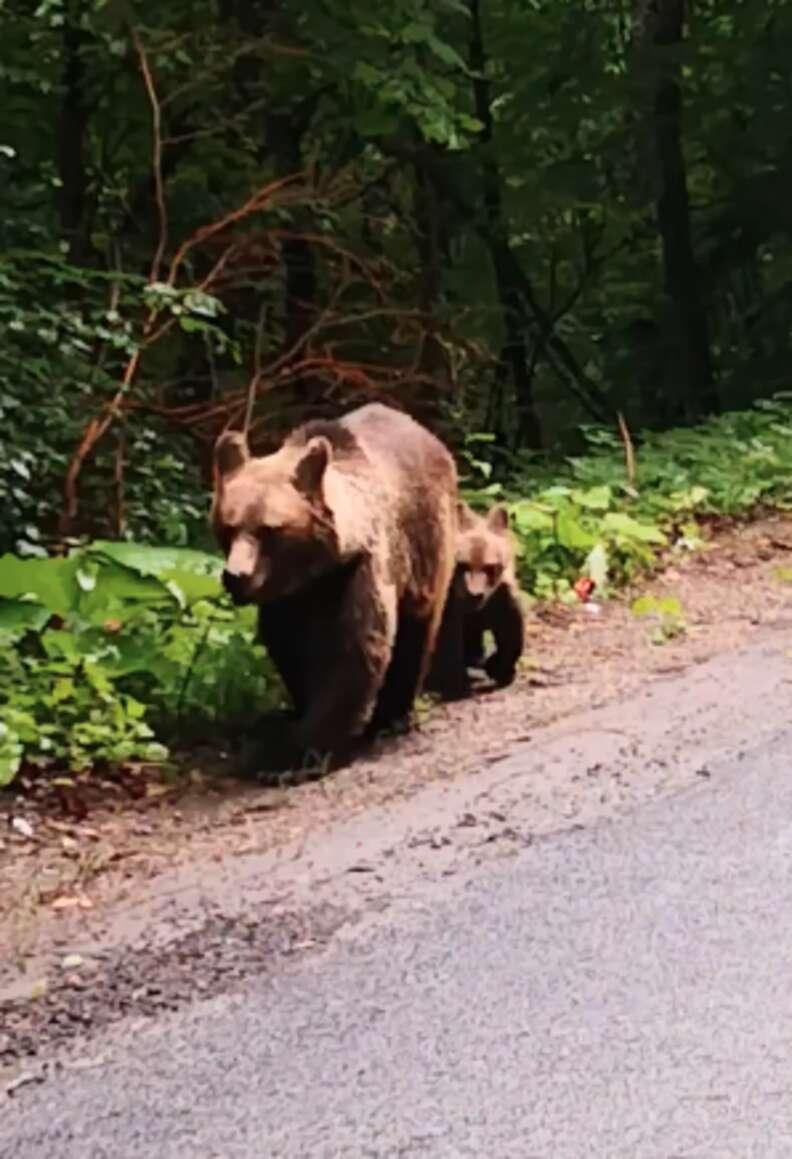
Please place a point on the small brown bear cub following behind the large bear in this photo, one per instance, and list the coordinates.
(484, 597)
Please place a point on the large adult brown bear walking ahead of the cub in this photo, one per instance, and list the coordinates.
(346, 541)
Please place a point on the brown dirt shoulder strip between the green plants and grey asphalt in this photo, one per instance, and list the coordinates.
(112, 914)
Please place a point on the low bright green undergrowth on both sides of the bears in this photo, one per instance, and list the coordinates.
(120, 651)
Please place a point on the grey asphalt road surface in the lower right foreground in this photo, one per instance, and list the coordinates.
(619, 993)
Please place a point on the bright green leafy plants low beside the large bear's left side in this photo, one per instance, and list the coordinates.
(114, 652)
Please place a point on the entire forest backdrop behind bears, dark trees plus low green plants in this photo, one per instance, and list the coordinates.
(560, 234)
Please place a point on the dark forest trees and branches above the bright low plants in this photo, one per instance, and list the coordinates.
(512, 218)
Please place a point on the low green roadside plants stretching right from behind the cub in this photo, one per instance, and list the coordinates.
(591, 521)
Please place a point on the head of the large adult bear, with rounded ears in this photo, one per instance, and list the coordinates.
(271, 517)
